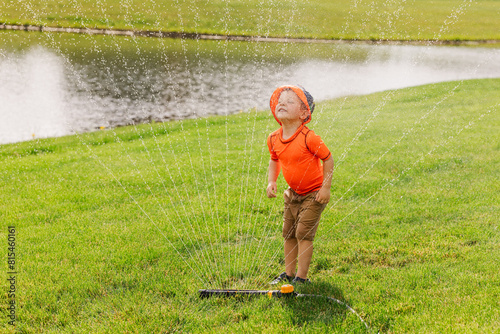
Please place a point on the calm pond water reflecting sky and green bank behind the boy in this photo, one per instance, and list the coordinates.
(56, 84)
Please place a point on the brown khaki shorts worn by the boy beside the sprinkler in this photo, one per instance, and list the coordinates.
(301, 216)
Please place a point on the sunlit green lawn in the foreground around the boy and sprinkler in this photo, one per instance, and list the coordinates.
(117, 230)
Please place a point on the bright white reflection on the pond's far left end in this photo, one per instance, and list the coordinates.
(32, 96)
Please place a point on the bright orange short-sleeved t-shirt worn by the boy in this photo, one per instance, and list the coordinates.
(299, 157)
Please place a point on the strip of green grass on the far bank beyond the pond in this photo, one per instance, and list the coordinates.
(344, 19)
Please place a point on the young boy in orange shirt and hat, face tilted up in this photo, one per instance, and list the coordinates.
(298, 151)
